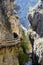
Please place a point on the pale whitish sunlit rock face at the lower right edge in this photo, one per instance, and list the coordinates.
(38, 48)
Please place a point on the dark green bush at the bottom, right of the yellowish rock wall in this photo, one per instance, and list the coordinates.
(23, 58)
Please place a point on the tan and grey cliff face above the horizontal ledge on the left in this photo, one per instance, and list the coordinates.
(9, 20)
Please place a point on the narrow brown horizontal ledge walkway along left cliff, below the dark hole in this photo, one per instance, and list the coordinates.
(7, 43)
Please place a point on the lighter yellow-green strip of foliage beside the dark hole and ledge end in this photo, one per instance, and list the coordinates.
(24, 42)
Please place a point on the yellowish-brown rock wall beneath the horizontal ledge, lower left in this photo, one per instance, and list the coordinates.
(8, 56)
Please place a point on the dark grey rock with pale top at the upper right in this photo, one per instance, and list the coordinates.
(35, 17)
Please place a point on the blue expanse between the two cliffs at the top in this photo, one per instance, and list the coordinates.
(24, 7)
